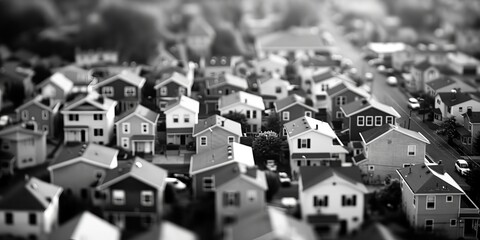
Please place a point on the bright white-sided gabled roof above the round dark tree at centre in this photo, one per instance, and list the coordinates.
(243, 98)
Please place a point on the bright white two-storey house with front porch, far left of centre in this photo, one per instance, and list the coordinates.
(89, 118)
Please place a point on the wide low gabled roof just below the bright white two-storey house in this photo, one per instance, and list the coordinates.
(91, 153)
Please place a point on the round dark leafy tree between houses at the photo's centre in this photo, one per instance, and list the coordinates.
(266, 145)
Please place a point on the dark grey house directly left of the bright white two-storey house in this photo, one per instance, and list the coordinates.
(43, 112)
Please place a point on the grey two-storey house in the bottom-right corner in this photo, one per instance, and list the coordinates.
(433, 201)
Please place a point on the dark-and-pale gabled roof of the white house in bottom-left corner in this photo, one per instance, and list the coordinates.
(34, 194)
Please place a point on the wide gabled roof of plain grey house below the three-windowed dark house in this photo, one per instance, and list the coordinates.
(377, 132)
